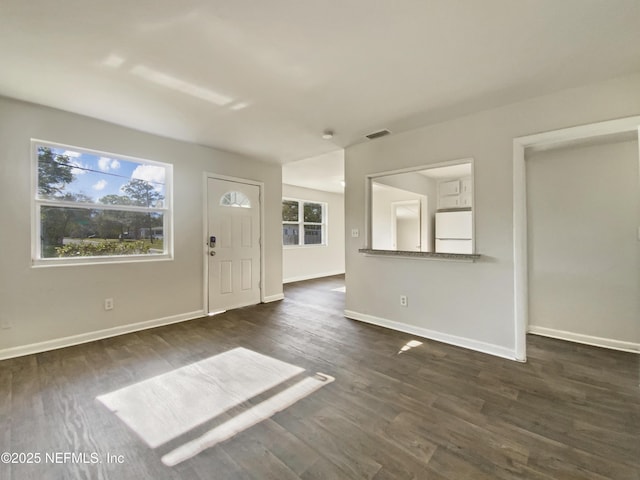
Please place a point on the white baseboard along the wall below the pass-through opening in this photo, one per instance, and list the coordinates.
(471, 344)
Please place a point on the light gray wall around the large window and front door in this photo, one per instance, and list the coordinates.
(44, 304)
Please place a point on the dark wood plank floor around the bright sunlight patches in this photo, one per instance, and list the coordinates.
(433, 411)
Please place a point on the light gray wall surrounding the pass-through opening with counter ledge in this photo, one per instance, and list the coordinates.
(468, 304)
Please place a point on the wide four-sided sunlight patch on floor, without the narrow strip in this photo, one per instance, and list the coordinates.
(164, 407)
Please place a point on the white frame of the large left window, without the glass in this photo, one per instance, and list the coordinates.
(37, 203)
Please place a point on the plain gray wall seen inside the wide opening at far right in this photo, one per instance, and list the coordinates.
(584, 253)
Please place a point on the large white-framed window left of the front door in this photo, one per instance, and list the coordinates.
(95, 207)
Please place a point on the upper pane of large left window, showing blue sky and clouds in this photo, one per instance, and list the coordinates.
(77, 176)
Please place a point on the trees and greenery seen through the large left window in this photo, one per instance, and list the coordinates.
(80, 230)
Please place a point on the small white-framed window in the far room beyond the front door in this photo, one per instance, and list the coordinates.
(303, 223)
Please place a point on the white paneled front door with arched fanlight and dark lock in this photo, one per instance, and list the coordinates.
(233, 240)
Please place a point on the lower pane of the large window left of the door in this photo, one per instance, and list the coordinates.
(83, 232)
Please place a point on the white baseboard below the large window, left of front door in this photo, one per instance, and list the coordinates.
(97, 335)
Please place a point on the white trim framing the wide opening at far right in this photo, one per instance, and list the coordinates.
(520, 252)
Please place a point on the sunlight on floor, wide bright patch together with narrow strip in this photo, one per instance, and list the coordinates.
(168, 406)
